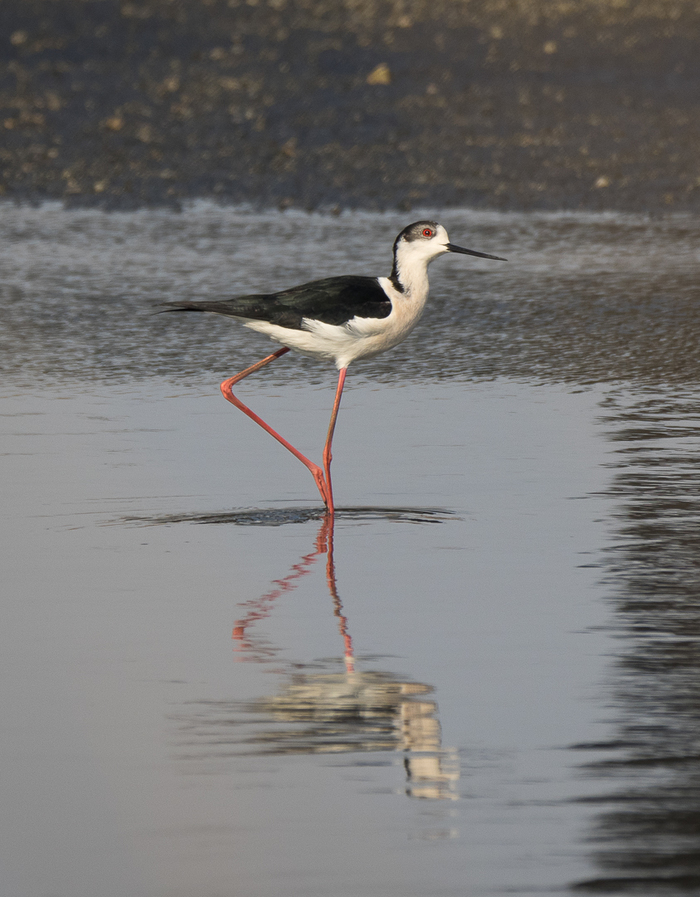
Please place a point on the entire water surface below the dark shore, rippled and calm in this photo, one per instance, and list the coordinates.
(484, 681)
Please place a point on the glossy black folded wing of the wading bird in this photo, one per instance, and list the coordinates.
(334, 300)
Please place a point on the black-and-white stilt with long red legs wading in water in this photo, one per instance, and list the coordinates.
(340, 319)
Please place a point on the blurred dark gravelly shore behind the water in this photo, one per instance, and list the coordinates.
(507, 104)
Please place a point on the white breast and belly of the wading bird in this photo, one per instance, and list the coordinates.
(358, 338)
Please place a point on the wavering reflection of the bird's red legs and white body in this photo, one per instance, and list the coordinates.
(337, 709)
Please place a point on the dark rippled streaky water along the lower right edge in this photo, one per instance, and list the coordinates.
(646, 835)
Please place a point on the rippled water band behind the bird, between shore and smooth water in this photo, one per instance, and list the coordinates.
(547, 314)
